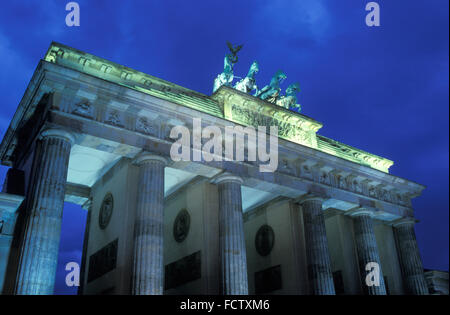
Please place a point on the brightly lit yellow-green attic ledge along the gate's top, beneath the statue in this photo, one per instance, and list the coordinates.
(292, 126)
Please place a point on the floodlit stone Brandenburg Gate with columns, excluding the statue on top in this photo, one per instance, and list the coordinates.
(95, 133)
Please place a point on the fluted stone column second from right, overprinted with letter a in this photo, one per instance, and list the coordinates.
(366, 247)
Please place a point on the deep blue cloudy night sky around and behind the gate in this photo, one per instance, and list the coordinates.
(383, 90)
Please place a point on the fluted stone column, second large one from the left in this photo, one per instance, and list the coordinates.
(148, 265)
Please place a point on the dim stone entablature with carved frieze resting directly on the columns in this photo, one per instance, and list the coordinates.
(112, 117)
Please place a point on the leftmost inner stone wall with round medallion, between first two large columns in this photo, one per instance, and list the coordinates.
(120, 182)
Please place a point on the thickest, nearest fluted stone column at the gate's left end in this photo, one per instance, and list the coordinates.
(39, 252)
